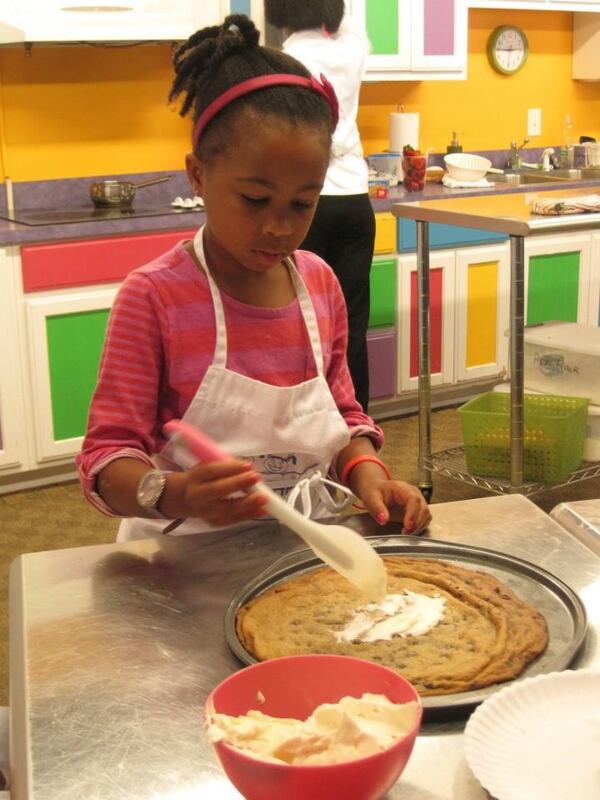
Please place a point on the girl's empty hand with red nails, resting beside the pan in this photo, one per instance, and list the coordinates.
(387, 500)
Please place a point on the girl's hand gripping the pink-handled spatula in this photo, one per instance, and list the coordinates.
(216, 492)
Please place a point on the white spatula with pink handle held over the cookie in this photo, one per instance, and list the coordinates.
(342, 548)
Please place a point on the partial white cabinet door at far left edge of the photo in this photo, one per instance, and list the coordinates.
(13, 430)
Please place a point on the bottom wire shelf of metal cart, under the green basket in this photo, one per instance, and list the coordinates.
(452, 464)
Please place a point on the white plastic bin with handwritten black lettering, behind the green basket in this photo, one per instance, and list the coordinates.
(563, 358)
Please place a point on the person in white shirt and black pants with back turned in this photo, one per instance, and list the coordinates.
(331, 43)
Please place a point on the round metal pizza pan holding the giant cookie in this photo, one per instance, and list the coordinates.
(560, 605)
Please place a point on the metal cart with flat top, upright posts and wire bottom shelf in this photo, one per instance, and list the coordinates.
(509, 214)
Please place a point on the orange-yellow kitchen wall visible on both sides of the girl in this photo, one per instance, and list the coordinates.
(80, 111)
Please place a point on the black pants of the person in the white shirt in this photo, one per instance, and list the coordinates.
(343, 234)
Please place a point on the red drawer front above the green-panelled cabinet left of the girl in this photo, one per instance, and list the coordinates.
(92, 261)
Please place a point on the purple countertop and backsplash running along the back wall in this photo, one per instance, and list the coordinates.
(75, 192)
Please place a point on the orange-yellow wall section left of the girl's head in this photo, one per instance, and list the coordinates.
(73, 111)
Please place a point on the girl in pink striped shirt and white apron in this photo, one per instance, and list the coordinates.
(238, 332)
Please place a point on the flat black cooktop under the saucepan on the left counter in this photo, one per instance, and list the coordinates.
(60, 216)
